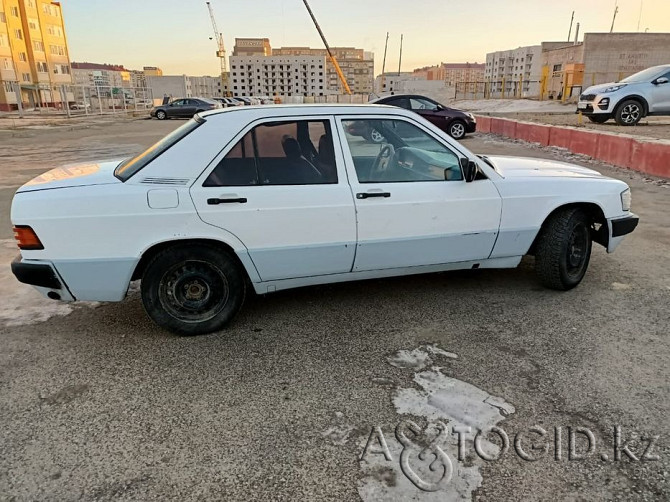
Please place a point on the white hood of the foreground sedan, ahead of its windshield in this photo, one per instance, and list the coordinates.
(520, 167)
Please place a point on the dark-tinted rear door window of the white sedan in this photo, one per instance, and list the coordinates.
(279, 153)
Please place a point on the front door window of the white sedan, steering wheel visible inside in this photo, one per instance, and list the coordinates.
(405, 153)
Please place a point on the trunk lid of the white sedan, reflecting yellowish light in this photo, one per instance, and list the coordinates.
(101, 173)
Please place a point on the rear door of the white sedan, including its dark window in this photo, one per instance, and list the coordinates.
(281, 188)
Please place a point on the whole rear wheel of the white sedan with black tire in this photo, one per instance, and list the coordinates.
(193, 289)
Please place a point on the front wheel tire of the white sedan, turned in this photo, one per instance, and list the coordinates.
(563, 249)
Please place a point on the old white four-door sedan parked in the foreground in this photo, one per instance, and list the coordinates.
(263, 197)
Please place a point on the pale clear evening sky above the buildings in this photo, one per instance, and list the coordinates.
(175, 34)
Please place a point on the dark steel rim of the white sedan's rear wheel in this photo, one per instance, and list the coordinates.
(194, 291)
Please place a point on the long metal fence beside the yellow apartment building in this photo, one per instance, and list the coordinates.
(79, 100)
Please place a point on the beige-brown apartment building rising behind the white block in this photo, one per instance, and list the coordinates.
(357, 65)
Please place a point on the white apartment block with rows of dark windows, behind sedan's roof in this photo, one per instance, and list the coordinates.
(278, 75)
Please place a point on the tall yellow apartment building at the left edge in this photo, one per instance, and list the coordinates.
(34, 57)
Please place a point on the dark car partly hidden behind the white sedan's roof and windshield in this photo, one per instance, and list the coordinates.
(455, 123)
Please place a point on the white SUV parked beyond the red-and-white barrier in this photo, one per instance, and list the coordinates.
(629, 100)
